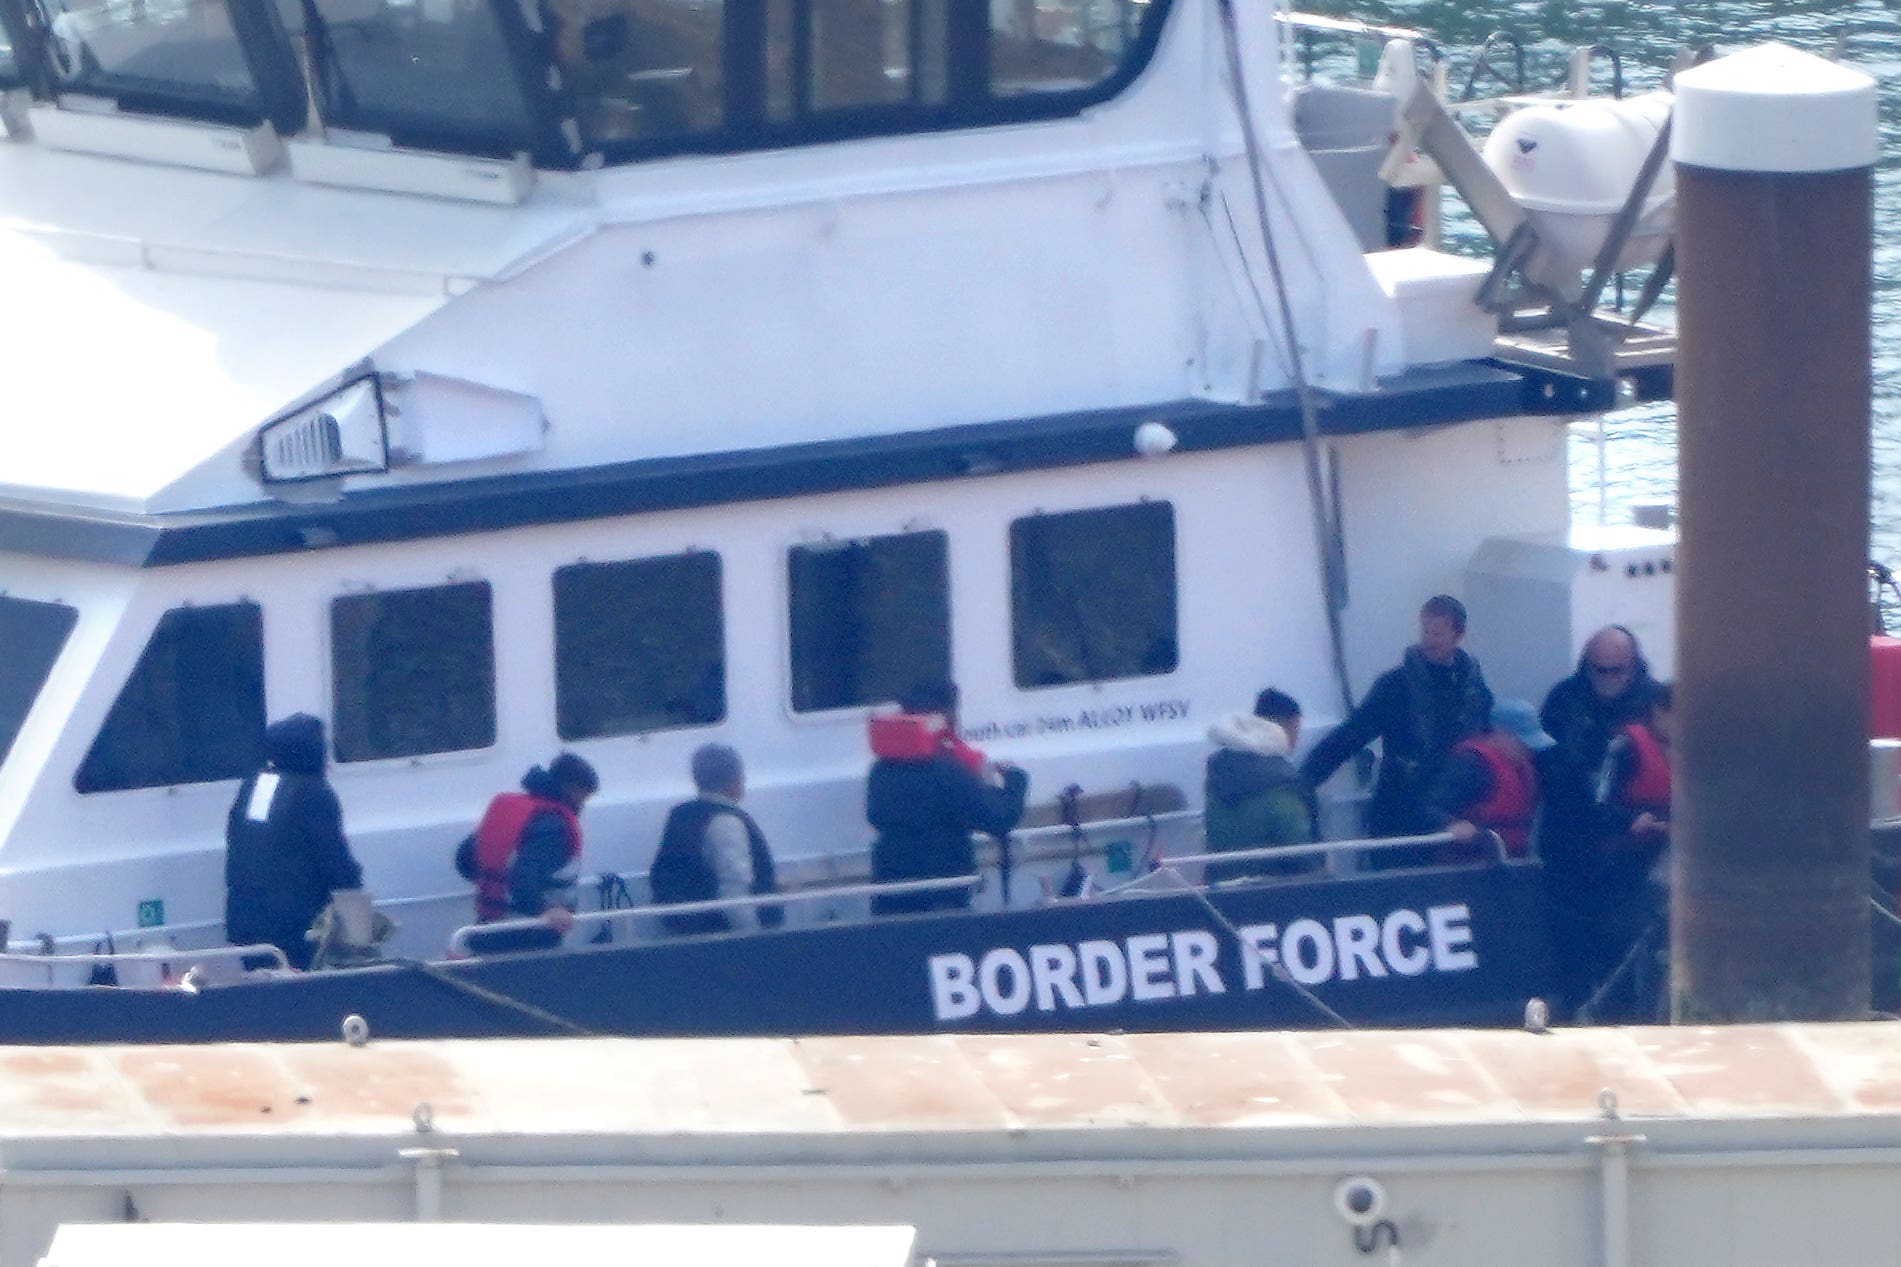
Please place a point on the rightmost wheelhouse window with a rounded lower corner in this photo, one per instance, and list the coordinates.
(1054, 47)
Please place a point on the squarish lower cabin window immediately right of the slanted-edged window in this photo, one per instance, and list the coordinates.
(413, 672)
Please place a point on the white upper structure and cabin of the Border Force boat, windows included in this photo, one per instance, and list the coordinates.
(623, 376)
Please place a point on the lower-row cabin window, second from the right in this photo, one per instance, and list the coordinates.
(870, 619)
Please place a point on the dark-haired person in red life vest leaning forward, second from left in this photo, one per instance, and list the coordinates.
(524, 851)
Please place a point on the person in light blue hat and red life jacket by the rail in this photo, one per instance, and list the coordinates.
(1491, 785)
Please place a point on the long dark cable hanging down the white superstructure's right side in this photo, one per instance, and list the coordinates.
(1326, 511)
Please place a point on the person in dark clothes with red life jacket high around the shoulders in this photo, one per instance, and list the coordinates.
(927, 794)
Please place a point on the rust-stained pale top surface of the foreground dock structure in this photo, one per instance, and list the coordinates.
(1056, 1097)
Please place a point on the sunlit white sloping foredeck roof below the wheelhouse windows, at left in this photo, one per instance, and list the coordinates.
(172, 311)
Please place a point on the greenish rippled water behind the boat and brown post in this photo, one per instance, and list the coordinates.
(1640, 448)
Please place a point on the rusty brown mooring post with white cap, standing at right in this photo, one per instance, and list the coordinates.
(1775, 157)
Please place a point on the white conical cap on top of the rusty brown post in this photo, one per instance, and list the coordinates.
(1775, 109)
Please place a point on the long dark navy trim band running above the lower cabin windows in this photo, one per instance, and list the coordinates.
(1421, 399)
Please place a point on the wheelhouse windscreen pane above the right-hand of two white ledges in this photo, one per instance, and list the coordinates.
(429, 73)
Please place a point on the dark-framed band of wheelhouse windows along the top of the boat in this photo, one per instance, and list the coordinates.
(583, 83)
